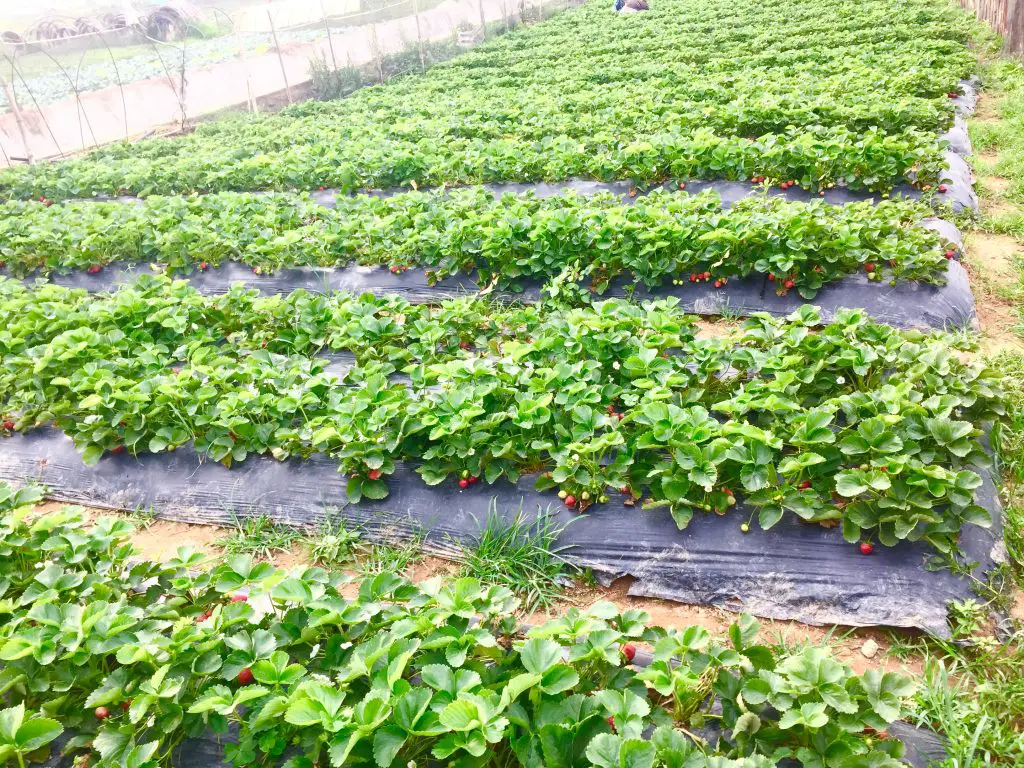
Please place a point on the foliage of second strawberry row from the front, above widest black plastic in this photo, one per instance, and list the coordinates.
(856, 423)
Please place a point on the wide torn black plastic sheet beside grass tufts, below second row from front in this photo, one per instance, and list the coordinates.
(793, 572)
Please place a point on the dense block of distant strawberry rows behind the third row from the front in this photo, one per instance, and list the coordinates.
(857, 102)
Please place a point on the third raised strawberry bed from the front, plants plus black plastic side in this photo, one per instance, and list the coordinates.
(714, 253)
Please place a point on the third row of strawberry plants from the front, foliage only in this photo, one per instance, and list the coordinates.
(504, 239)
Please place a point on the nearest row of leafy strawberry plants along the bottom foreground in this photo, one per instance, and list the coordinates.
(132, 658)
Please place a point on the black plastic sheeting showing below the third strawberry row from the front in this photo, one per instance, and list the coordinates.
(908, 305)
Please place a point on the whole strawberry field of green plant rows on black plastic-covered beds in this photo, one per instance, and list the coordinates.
(474, 296)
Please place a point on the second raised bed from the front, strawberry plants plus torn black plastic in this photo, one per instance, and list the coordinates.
(831, 439)
